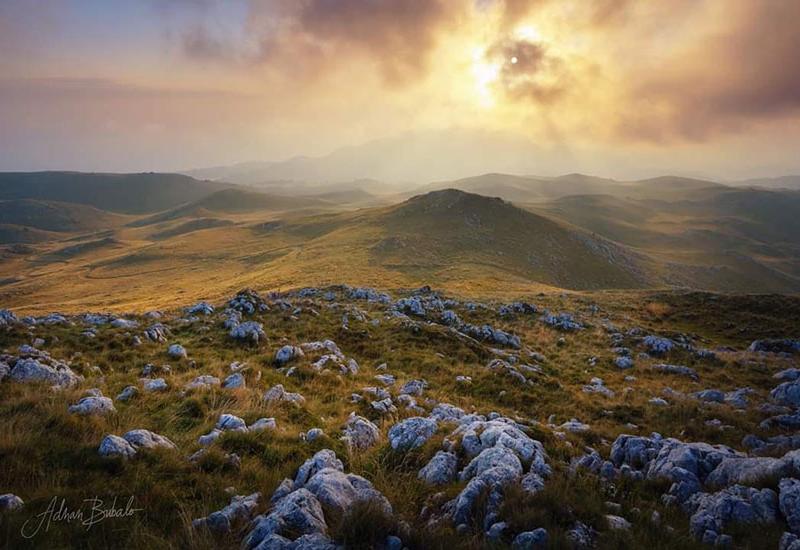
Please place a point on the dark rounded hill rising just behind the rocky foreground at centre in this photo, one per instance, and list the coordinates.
(450, 227)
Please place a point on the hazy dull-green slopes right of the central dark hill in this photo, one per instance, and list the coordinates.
(729, 239)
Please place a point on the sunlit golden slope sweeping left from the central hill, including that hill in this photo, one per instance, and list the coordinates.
(509, 251)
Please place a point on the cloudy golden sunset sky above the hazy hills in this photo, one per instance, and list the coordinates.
(620, 88)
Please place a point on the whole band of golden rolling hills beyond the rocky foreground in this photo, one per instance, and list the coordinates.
(712, 238)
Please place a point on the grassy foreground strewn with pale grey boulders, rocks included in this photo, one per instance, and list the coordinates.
(346, 417)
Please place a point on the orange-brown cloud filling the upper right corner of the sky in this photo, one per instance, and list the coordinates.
(725, 81)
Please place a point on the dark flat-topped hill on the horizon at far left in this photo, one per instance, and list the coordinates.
(124, 193)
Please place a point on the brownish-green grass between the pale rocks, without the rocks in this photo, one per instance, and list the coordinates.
(47, 452)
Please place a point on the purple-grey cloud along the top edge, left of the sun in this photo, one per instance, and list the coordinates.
(307, 39)
